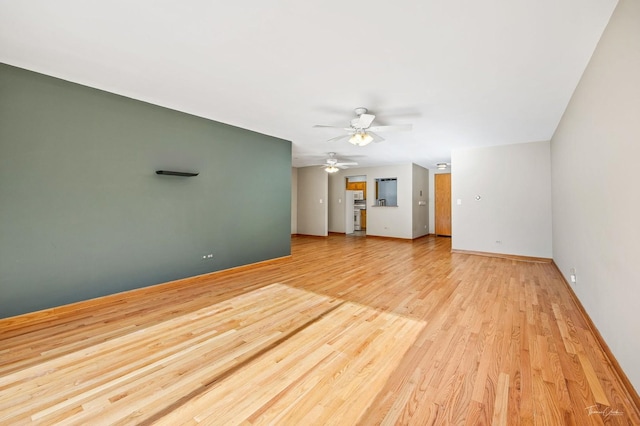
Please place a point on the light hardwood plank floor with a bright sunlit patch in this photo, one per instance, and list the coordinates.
(348, 330)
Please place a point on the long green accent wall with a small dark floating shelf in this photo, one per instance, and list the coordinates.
(83, 213)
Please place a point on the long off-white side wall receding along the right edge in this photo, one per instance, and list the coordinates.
(596, 200)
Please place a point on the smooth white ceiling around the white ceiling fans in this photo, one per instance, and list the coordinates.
(465, 73)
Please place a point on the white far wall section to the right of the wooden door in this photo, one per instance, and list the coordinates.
(513, 214)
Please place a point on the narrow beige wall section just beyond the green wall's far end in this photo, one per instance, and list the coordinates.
(312, 201)
